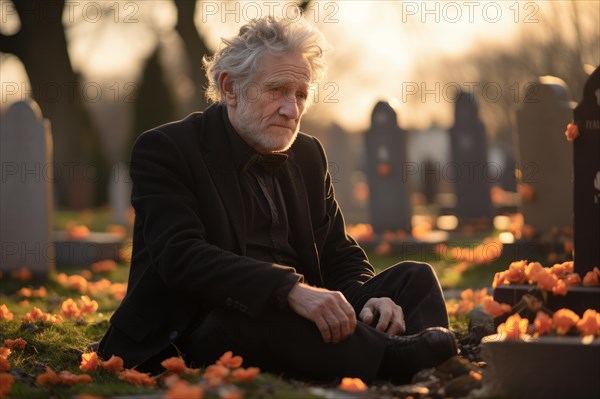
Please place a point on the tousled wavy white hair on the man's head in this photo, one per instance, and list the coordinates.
(240, 56)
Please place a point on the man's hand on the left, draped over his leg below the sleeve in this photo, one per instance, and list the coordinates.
(329, 310)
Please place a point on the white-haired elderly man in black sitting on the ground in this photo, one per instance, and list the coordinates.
(239, 243)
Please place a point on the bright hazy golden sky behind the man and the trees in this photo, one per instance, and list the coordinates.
(376, 46)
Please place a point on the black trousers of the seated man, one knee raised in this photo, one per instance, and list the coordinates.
(283, 342)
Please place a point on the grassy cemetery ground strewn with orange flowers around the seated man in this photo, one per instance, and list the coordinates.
(75, 304)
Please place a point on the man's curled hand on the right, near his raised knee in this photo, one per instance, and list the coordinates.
(391, 316)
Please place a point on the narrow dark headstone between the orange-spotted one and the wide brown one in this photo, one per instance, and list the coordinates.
(468, 143)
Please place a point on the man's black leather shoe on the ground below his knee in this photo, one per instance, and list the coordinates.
(406, 355)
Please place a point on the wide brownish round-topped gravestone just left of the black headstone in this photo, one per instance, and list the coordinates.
(543, 159)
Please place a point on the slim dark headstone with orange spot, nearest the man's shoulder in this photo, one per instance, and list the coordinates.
(385, 143)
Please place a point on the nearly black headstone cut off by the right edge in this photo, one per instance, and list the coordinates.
(586, 177)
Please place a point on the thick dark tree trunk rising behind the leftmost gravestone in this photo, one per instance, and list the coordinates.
(41, 46)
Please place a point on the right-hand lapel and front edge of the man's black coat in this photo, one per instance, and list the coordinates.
(296, 200)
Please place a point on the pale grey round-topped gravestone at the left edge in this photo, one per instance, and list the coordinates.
(26, 190)
